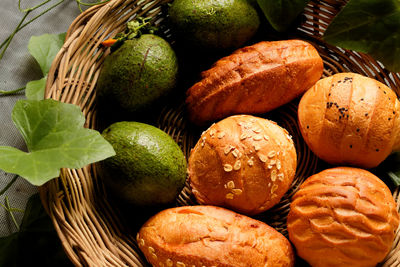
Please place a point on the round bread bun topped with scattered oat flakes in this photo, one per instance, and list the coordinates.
(243, 163)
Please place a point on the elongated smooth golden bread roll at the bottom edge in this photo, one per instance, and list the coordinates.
(211, 236)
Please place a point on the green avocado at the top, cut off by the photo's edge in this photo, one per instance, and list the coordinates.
(214, 24)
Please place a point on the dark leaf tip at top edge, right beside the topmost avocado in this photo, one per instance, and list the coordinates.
(282, 13)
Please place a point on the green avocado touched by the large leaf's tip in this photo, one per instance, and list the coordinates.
(148, 169)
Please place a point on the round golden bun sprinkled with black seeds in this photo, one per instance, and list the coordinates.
(350, 119)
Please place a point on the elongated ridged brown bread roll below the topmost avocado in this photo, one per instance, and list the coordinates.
(254, 79)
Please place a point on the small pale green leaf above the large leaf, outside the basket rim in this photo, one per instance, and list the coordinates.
(44, 48)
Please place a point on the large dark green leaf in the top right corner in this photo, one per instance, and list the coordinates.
(369, 26)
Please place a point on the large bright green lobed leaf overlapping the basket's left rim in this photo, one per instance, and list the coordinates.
(55, 138)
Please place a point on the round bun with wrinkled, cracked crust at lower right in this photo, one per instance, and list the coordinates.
(343, 217)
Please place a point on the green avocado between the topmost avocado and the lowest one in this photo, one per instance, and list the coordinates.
(138, 73)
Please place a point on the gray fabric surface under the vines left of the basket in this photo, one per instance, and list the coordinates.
(16, 69)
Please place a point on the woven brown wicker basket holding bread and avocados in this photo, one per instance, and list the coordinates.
(91, 232)
